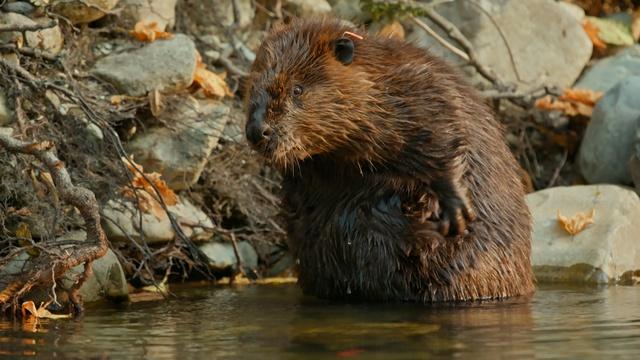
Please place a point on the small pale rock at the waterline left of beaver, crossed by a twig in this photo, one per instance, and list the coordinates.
(222, 257)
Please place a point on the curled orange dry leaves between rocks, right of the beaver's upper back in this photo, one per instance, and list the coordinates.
(572, 102)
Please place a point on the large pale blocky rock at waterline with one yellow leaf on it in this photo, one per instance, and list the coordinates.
(603, 251)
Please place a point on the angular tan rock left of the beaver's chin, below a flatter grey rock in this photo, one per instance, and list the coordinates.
(179, 152)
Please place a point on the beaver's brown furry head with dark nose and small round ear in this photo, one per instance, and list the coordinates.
(309, 95)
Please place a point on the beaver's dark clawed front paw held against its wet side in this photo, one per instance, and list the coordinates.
(455, 214)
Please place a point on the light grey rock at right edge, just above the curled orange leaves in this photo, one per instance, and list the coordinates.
(608, 72)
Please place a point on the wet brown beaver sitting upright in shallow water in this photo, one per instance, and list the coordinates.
(398, 184)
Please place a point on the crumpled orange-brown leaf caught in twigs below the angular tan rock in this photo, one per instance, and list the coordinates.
(142, 188)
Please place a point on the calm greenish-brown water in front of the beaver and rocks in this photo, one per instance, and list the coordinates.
(264, 322)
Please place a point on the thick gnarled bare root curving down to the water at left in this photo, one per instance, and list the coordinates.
(48, 267)
